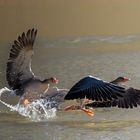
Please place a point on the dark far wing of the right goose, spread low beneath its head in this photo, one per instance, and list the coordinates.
(131, 99)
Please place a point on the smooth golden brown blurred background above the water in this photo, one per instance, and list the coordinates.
(64, 18)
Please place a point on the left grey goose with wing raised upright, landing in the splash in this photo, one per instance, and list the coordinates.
(19, 74)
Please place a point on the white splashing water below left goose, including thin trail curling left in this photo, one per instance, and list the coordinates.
(38, 110)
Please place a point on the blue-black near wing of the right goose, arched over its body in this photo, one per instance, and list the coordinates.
(95, 89)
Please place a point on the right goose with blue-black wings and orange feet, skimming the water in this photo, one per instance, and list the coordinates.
(100, 92)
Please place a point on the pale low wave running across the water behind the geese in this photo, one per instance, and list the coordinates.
(75, 41)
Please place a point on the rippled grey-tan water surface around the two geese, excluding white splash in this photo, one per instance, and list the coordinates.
(70, 59)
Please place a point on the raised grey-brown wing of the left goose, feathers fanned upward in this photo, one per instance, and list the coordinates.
(19, 62)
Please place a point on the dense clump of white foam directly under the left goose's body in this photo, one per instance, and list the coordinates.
(39, 110)
